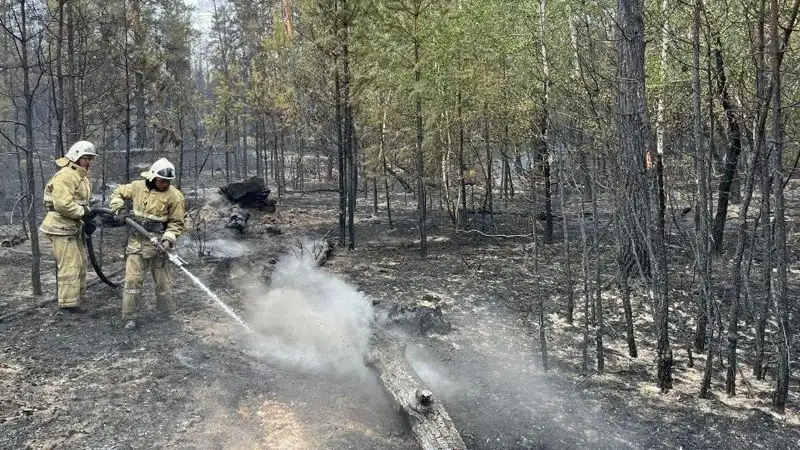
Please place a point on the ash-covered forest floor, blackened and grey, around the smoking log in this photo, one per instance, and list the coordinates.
(199, 380)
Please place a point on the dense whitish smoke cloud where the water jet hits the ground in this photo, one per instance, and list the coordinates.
(306, 317)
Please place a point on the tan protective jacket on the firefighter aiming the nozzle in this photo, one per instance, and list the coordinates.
(152, 205)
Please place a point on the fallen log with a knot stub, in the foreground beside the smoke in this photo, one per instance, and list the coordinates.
(432, 426)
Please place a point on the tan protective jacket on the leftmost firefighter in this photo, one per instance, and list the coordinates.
(65, 196)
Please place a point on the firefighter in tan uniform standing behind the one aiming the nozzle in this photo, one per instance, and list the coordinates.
(67, 198)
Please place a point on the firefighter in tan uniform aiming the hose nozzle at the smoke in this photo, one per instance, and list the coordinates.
(159, 207)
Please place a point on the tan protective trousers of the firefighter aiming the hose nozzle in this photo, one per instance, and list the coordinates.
(135, 267)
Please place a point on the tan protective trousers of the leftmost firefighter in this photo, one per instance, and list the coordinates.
(70, 255)
